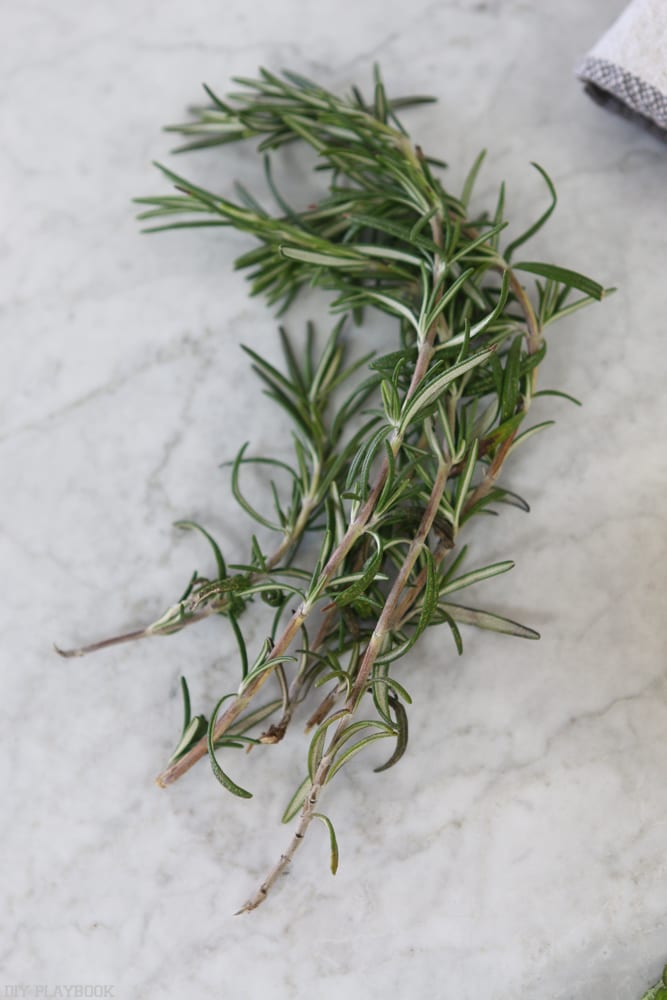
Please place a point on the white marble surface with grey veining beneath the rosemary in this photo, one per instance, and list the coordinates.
(519, 850)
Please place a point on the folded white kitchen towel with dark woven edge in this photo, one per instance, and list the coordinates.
(628, 66)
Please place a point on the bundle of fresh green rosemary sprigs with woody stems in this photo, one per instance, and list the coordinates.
(393, 456)
